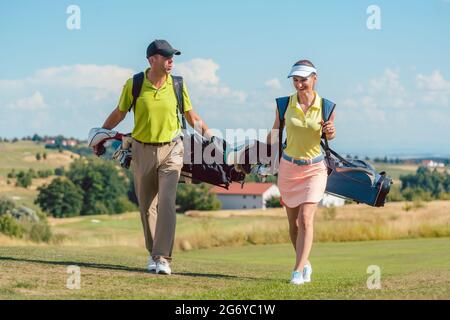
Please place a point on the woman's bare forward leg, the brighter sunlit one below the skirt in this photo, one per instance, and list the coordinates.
(305, 234)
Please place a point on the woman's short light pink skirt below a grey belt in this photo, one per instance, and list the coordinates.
(301, 184)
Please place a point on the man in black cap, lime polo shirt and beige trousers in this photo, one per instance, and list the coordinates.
(157, 150)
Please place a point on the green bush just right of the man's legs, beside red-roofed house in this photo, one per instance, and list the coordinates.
(196, 197)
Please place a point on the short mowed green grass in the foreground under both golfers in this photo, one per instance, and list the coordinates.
(410, 269)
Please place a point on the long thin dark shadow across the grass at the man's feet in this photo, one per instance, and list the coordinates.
(118, 268)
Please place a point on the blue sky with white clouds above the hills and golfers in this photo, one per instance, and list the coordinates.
(392, 86)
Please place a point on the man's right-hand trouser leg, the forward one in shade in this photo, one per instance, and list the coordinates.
(169, 174)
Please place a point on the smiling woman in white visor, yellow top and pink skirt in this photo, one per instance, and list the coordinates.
(302, 175)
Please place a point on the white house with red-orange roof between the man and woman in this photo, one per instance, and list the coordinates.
(251, 196)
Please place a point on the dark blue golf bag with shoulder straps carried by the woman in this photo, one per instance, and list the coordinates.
(356, 180)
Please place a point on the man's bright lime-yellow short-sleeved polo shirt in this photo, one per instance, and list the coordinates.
(155, 114)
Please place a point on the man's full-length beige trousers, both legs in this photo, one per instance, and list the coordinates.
(156, 174)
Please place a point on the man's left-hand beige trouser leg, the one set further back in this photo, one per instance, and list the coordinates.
(146, 188)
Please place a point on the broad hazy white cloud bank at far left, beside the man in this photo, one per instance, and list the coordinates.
(76, 98)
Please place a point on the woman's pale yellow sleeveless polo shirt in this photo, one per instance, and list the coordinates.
(303, 130)
